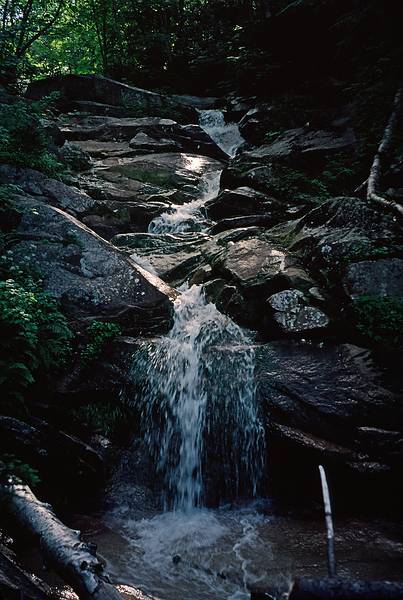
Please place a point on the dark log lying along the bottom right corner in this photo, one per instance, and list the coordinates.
(337, 588)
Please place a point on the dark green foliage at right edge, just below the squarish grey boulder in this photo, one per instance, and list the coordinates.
(380, 319)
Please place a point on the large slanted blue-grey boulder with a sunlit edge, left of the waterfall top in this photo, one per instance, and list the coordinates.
(91, 278)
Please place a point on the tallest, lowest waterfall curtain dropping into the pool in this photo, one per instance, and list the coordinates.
(201, 378)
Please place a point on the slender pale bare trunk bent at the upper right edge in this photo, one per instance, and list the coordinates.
(384, 149)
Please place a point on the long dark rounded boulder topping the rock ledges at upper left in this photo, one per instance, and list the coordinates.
(95, 88)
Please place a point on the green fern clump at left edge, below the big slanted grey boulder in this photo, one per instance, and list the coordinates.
(34, 334)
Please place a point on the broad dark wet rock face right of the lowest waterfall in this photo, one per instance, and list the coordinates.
(329, 404)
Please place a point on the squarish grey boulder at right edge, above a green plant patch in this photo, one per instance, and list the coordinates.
(382, 277)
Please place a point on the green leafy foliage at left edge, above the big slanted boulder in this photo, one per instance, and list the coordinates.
(23, 139)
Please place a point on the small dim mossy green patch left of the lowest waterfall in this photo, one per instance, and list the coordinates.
(106, 417)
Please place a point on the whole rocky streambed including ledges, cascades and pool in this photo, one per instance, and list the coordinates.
(183, 235)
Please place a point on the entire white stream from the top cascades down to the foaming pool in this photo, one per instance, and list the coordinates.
(201, 424)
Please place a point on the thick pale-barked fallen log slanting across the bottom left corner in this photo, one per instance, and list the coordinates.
(62, 548)
